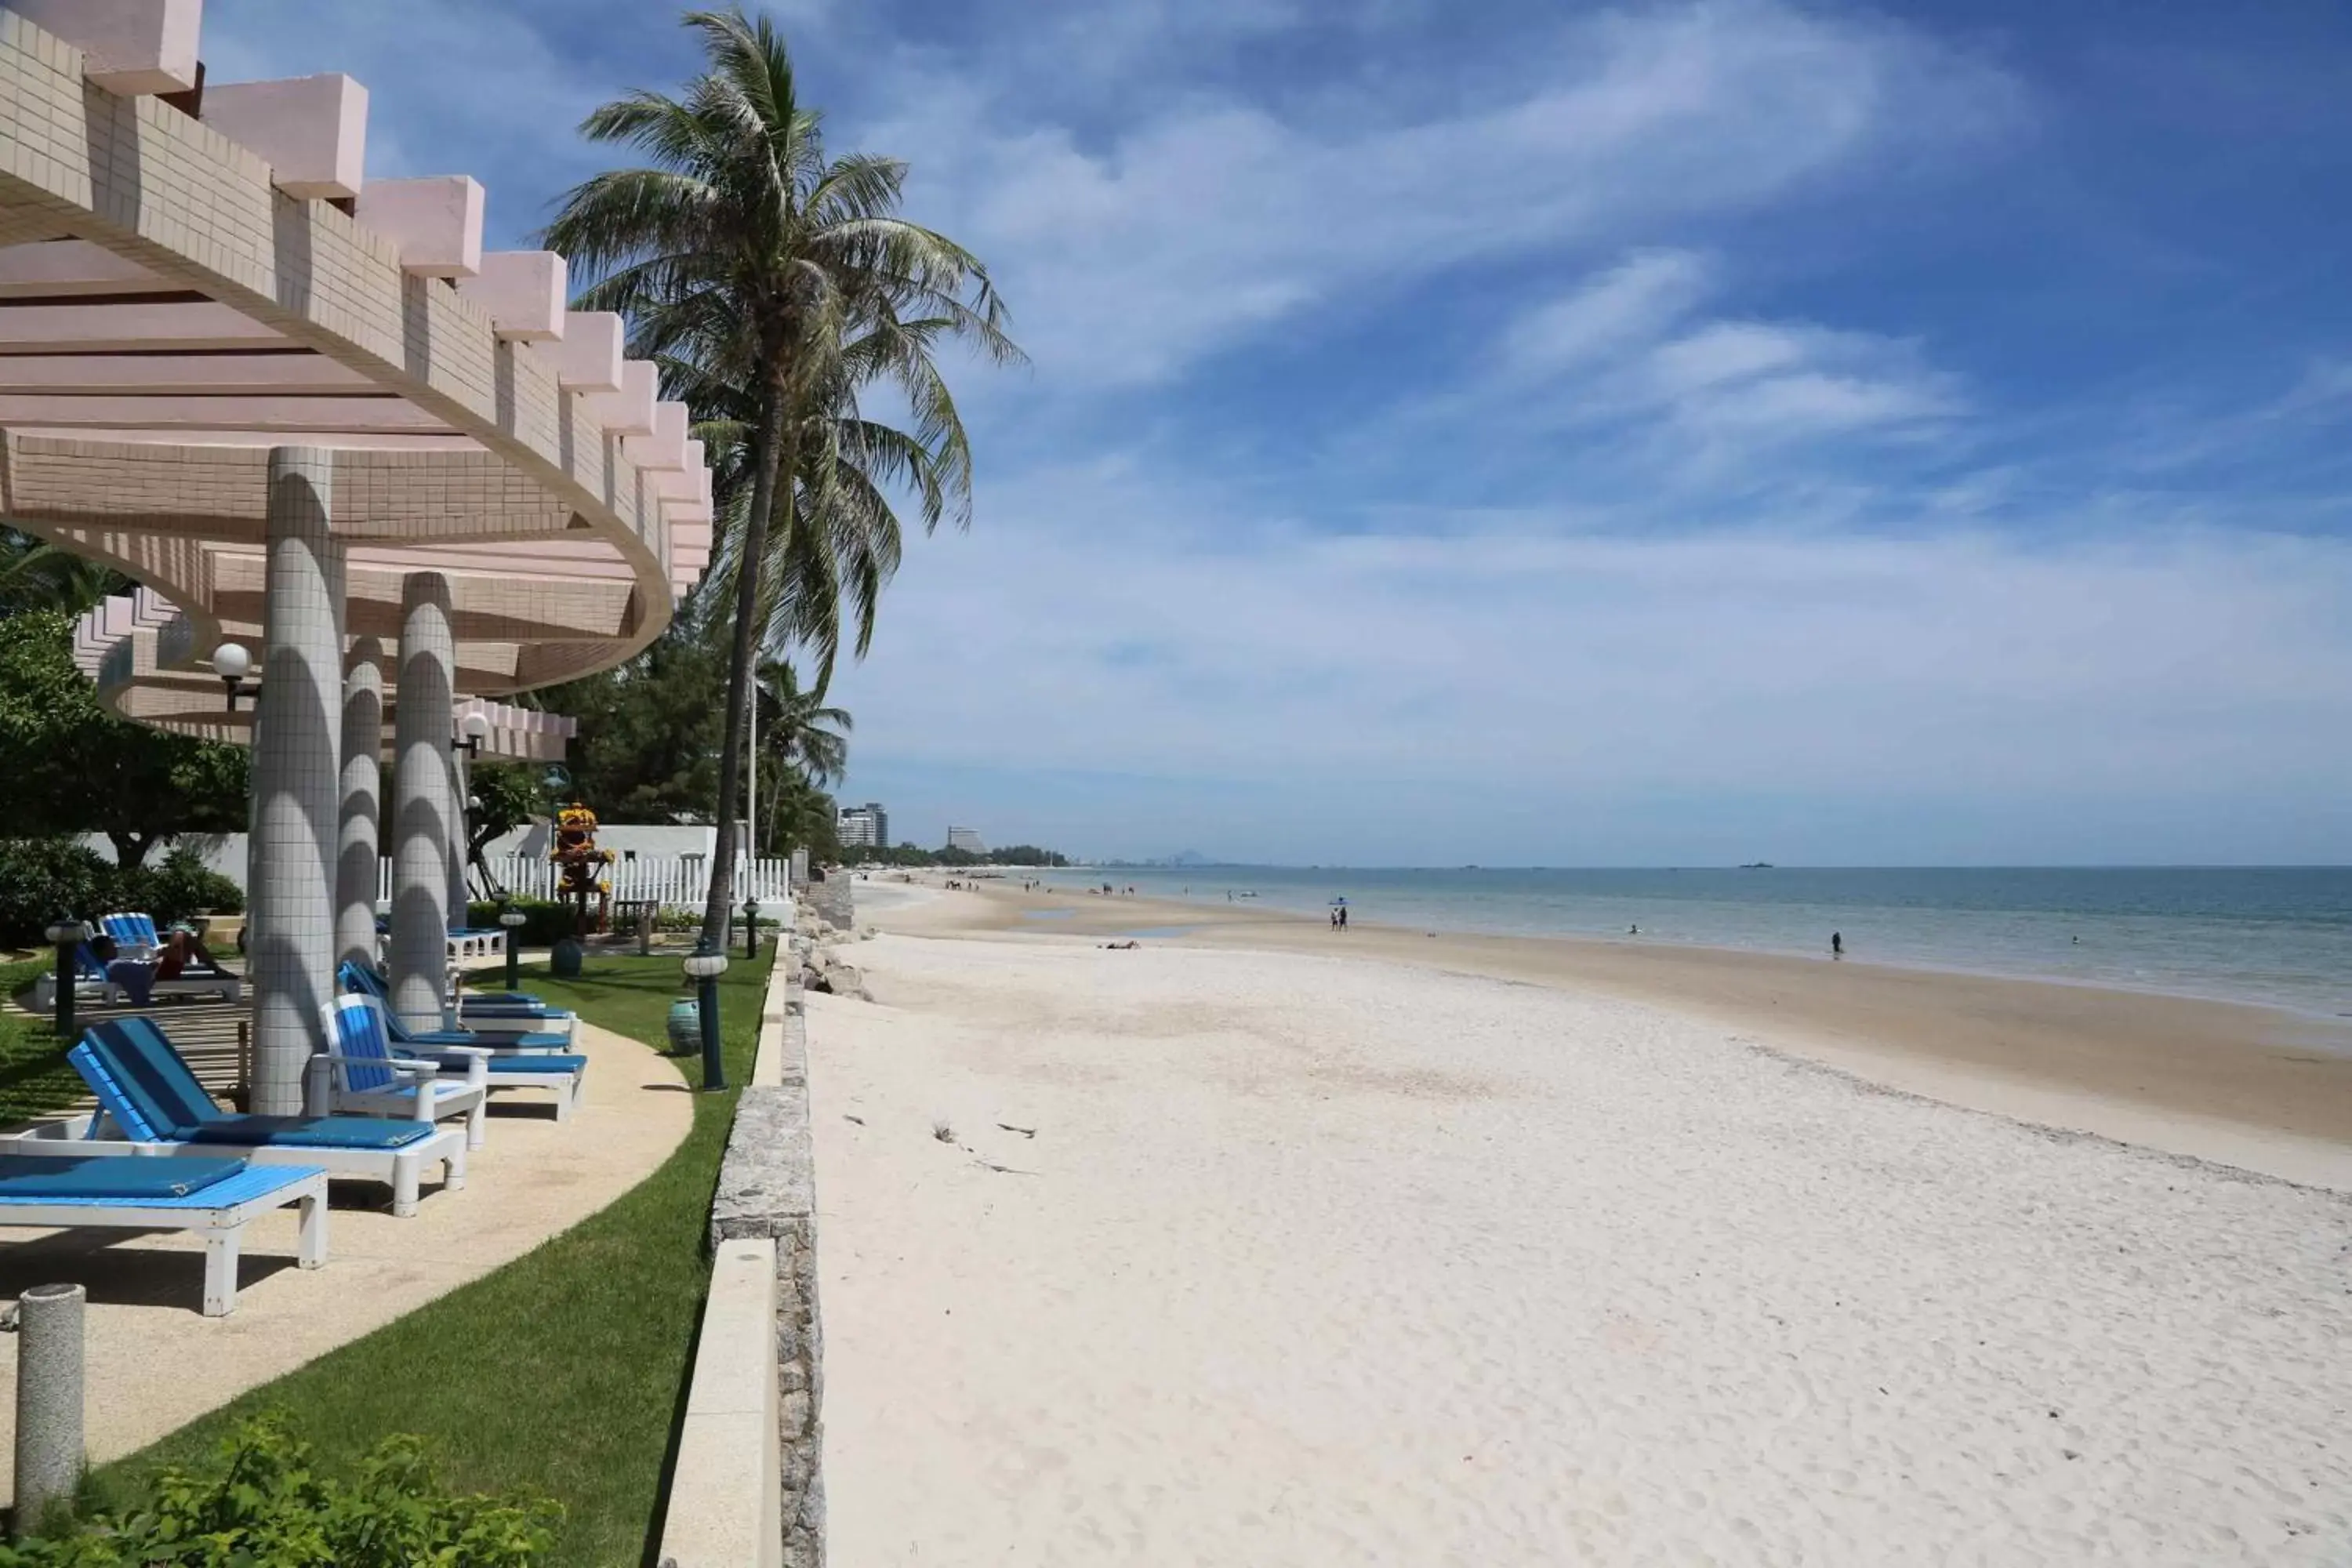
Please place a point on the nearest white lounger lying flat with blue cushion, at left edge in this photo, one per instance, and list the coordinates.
(208, 1195)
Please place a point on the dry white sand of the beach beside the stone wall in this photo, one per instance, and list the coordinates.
(1321, 1261)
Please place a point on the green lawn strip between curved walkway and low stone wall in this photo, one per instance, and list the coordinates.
(566, 1369)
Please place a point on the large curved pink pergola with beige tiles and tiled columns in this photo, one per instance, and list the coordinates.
(312, 417)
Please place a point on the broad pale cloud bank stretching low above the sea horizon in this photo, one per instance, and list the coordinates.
(1782, 659)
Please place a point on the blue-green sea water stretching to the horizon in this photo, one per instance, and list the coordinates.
(2278, 937)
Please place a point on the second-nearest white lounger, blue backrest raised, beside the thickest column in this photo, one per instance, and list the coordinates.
(149, 1104)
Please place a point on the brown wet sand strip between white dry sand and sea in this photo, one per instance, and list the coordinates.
(2238, 1085)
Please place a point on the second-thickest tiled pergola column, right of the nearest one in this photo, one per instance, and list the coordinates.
(422, 808)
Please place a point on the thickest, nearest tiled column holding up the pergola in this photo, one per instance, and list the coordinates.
(290, 956)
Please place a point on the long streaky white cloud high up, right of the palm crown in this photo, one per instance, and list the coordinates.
(1135, 255)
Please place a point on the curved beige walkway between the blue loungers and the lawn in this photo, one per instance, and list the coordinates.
(156, 1362)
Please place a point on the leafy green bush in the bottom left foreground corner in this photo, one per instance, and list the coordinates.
(262, 1503)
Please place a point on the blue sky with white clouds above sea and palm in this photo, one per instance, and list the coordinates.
(1542, 434)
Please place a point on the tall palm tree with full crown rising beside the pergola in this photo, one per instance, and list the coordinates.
(775, 283)
